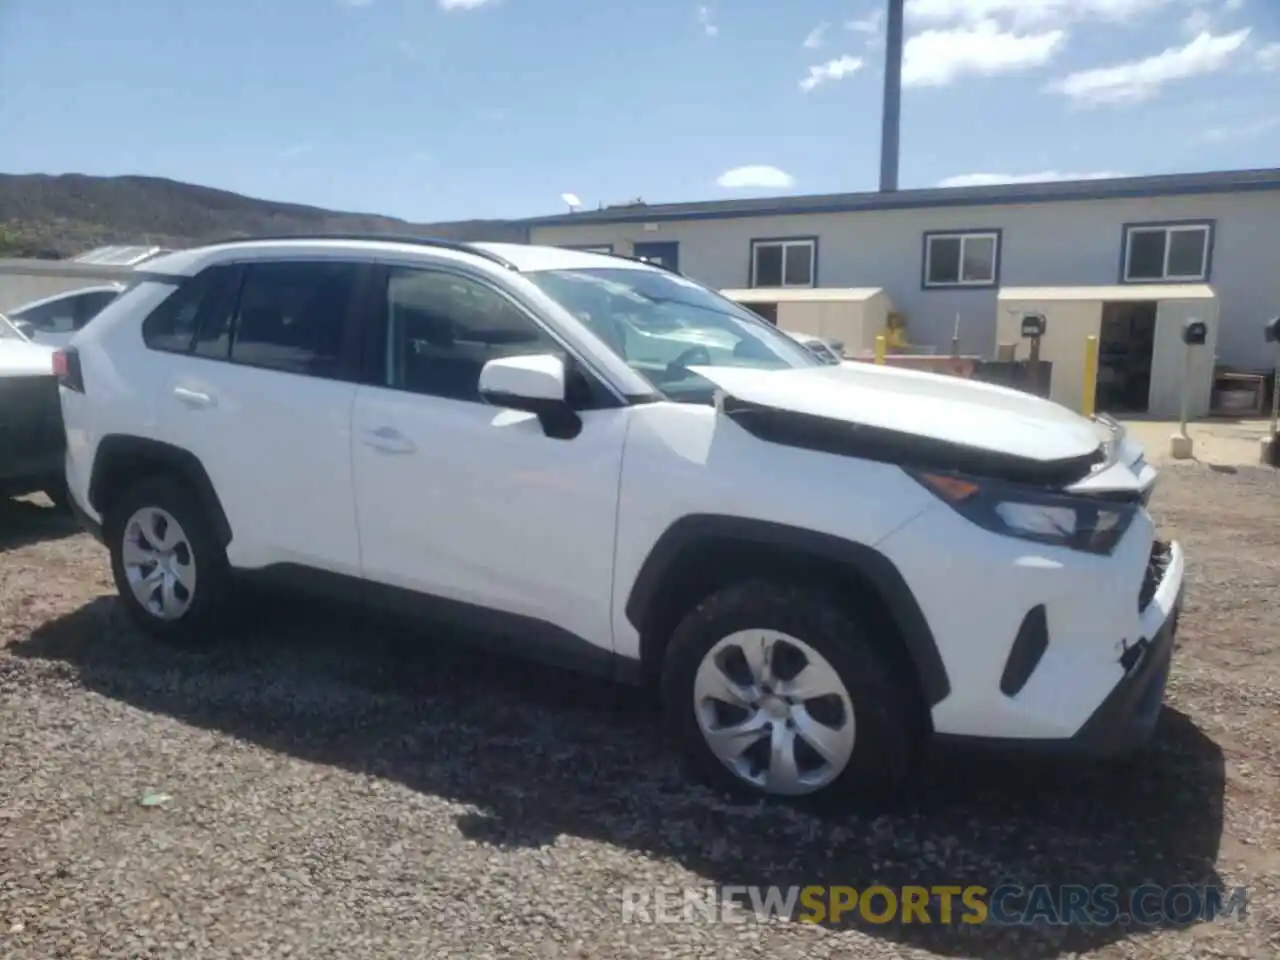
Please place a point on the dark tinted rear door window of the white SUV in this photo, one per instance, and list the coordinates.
(292, 317)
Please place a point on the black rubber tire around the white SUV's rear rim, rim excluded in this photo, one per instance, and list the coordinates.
(211, 602)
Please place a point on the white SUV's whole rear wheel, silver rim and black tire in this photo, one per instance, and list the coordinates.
(170, 569)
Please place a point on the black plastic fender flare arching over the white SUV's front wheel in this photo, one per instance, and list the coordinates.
(874, 566)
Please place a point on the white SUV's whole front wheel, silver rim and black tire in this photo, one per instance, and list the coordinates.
(778, 691)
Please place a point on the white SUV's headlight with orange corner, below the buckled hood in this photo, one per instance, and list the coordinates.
(1086, 524)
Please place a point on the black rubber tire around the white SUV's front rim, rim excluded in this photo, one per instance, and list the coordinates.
(886, 735)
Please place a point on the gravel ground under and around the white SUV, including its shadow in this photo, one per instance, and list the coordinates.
(340, 792)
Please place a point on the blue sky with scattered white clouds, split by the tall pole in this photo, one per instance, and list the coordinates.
(450, 109)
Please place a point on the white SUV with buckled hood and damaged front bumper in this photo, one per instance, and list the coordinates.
(602, 464)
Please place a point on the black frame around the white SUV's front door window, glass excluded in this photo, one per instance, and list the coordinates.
(374, 350)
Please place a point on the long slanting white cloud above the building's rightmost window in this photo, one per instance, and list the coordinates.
(1140, 81)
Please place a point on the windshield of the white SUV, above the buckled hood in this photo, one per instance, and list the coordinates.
(662, 324)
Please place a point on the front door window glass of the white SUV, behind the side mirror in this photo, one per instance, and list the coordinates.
(442, 328)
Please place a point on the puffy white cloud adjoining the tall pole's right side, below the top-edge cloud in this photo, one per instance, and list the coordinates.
(936, 58)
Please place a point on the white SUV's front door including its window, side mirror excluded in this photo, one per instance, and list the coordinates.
(470, 504)
